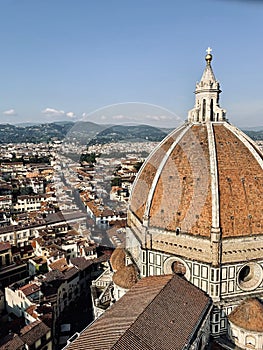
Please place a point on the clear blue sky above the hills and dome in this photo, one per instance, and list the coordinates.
(64, 59)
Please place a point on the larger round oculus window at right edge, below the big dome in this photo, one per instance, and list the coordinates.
(249, 276)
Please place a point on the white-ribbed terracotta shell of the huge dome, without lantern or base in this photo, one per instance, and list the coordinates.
(202, 176)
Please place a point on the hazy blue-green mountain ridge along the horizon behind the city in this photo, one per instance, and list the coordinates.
(89, 133)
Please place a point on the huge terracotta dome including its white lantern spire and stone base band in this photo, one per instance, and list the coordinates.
(201, 187)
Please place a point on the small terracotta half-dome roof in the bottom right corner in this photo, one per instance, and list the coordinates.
(248, 315)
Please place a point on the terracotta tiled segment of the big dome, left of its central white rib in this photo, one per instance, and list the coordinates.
(183, 187)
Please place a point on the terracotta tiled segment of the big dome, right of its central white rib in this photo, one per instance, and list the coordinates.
(240, 185)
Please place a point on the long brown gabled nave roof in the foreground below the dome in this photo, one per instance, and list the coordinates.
(158, 312)
